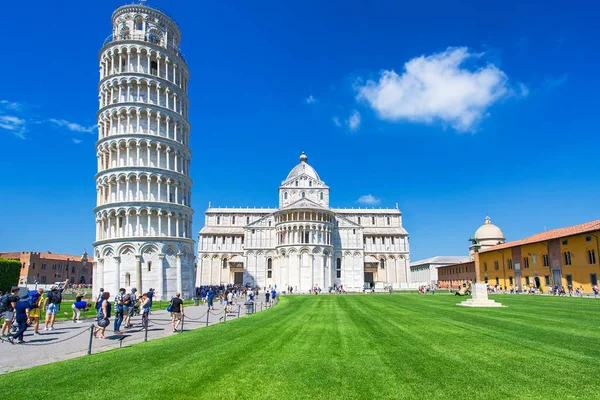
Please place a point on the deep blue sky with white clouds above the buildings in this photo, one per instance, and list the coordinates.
(453, 111)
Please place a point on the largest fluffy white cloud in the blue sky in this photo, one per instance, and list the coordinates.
(438, 87)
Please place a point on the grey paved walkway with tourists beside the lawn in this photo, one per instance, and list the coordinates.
(69, 340)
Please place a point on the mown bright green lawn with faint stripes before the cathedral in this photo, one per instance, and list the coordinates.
(356, 346)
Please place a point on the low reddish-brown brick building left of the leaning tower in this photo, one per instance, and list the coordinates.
(48, 268)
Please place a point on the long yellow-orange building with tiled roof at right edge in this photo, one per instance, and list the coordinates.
(565, 256)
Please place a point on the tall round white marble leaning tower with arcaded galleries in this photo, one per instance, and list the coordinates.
(143, 214)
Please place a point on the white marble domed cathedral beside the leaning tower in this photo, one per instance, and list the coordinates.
(304, 243)
